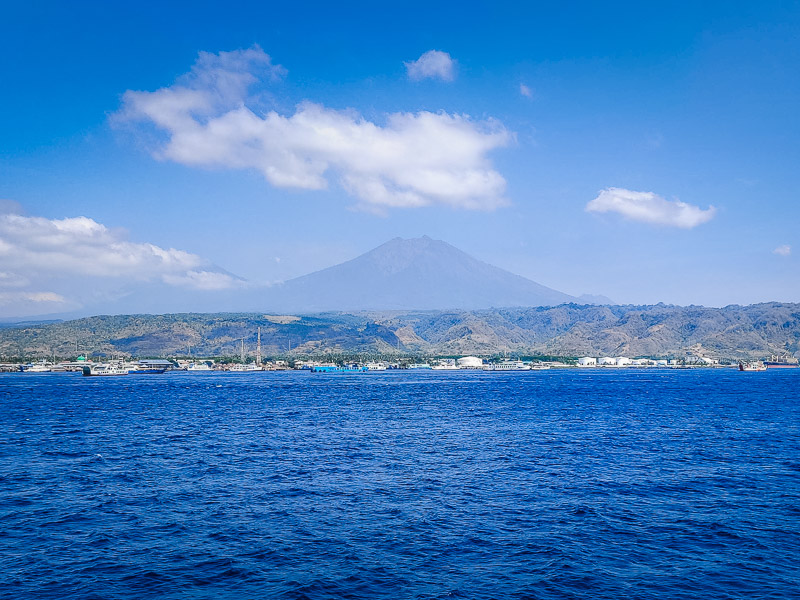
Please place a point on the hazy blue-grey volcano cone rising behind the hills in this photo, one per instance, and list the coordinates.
(419, 273)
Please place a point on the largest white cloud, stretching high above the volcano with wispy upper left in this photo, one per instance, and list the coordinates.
(414, 159)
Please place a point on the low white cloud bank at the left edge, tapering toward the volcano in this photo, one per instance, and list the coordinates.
(35, 247)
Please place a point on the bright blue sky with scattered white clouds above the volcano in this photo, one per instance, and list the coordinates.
(647, 152)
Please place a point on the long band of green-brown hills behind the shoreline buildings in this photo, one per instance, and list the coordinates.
(568, 330)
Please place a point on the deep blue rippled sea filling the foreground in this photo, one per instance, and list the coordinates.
(552, 484)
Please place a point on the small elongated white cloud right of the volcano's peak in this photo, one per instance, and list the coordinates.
(648, 207)
